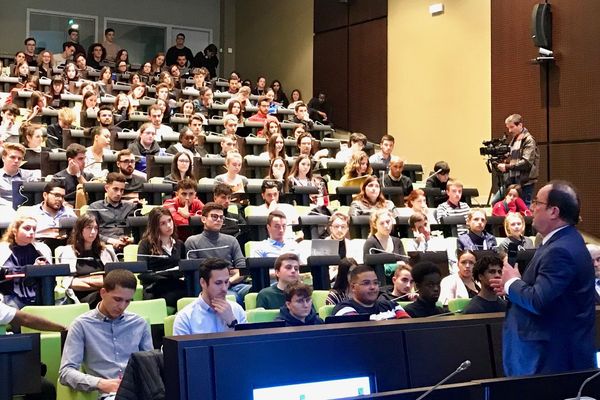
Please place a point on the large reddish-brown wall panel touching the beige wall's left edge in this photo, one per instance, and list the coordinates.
(368, 78)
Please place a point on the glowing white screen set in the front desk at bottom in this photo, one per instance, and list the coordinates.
(330, 389)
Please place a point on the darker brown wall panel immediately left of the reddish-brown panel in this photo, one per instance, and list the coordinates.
(330, 72)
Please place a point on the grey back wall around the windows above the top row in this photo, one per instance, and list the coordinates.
(198, 14)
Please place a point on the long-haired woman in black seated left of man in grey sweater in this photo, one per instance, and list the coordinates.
(160, 239)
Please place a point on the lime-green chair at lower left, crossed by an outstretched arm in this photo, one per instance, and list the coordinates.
(50, 341)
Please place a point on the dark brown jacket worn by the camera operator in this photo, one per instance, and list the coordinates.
(524, 169)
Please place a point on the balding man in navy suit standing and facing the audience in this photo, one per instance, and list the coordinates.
(549, 324)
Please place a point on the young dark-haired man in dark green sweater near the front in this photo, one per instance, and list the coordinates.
(287, 272)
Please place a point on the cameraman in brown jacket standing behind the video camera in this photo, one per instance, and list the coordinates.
(521, 164)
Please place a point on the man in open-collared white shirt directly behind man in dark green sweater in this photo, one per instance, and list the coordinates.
(276, 244)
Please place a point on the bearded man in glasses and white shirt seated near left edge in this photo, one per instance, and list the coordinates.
(50, 211)
